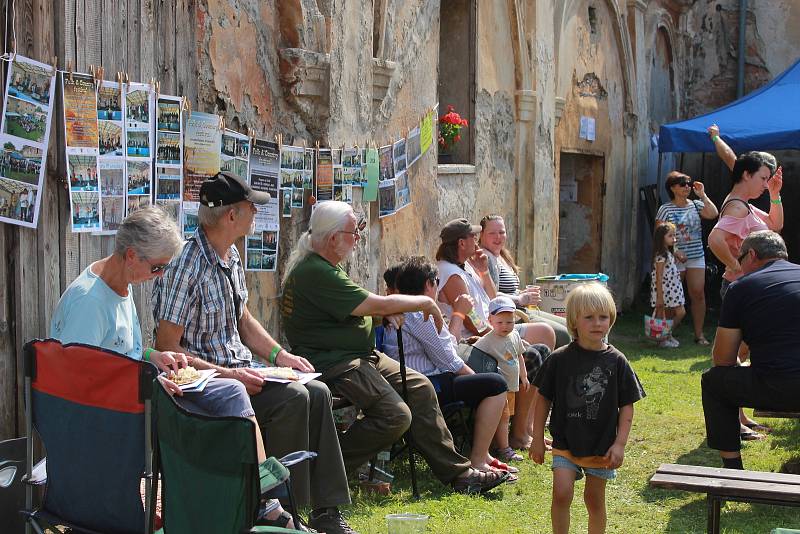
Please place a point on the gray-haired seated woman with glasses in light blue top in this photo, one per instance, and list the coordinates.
(97, 309)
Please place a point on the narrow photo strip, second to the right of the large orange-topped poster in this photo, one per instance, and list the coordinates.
(138, 108)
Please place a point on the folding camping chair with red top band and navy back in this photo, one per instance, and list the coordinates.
(91, 409)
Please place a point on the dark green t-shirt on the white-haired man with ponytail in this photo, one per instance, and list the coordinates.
(316, 307)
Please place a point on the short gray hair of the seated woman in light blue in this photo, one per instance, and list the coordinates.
(150, 232)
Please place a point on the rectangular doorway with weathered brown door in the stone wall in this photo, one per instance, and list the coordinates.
(580, 203)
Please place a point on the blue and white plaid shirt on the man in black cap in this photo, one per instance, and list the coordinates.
(197, 293)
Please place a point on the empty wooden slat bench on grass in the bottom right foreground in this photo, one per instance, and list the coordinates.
(729, 485)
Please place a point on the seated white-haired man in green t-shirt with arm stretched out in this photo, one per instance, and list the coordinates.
(328, 318)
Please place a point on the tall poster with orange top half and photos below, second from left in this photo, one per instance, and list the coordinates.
(82, 149)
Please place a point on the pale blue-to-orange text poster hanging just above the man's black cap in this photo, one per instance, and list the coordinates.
(202, 144)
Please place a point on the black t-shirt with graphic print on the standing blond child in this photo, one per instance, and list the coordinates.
(586, 389)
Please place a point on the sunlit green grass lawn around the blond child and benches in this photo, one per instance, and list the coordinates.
(668, 428)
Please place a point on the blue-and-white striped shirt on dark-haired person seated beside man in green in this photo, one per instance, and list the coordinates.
(426, 351)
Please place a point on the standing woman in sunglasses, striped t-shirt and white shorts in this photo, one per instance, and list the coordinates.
(687, 214)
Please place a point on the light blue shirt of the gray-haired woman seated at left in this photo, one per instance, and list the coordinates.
(91, 312)
